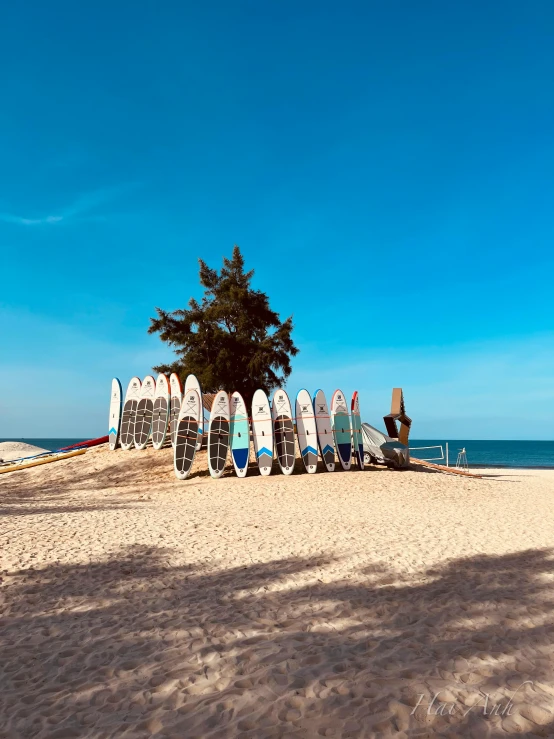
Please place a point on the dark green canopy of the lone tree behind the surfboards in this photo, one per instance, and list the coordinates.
(231, 339)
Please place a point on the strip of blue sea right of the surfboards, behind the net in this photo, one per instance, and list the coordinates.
(492, 453)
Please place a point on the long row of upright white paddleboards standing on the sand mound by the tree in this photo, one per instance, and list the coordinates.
(154, 408)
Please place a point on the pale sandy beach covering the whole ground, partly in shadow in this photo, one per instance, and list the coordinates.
(351, 604)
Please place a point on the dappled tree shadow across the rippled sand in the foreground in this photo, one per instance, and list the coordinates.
(133, 646)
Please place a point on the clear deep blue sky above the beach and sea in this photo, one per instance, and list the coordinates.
(401, 150)
